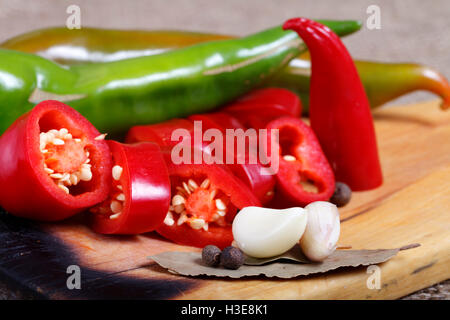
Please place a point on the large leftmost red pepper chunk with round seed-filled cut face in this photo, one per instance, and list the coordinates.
(53, 164)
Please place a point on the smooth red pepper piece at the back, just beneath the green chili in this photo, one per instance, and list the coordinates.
(257, 108)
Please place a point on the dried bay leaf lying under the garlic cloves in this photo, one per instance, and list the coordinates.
(190, 264)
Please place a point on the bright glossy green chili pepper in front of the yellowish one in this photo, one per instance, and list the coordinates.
(116, 95)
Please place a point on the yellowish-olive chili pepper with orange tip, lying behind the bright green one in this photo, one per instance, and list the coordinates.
(382, 81)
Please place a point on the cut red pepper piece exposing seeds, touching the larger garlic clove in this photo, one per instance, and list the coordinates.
(205, 200)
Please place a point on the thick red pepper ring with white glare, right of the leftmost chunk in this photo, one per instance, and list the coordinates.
(140, 193)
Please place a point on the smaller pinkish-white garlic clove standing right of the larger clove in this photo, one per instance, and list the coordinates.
(322, 232)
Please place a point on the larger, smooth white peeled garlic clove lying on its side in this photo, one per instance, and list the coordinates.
(262, 232)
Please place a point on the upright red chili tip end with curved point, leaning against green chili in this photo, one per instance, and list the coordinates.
(339, 110)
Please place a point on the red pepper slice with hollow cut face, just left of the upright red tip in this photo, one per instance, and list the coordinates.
(304, 174)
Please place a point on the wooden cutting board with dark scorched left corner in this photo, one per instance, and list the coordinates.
(412, 206)
